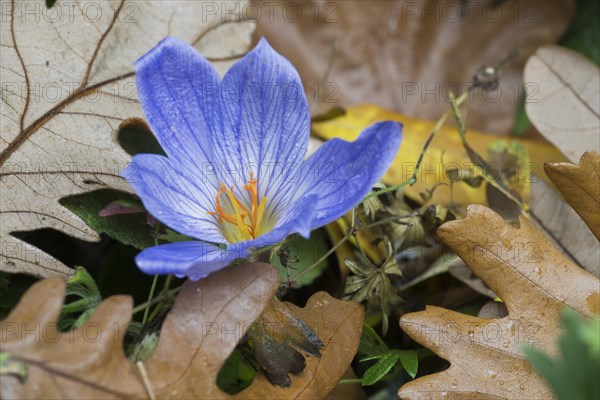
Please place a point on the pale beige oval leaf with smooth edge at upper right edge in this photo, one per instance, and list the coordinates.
(564, 99)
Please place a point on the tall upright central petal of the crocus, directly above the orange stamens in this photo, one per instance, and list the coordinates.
(264, 120)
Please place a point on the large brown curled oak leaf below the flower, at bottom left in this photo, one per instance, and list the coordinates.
(204, 326)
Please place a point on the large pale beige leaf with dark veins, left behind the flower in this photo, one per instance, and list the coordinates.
(67, 87)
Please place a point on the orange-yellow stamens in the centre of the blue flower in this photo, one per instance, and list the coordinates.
(246, 223)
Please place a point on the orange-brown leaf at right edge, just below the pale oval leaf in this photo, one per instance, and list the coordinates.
(580, 185)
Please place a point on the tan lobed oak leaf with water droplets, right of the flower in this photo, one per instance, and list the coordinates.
(535, 281)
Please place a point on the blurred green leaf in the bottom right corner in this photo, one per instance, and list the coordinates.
(574, 375)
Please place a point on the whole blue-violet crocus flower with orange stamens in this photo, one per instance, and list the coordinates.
(235, 177)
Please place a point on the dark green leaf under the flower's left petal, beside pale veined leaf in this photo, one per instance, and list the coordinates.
(130, 229)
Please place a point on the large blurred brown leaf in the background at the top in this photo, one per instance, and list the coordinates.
(407, 56)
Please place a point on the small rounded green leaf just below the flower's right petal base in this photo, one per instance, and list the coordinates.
(296, 256)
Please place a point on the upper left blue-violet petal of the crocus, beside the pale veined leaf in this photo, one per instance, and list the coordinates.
(177, 88)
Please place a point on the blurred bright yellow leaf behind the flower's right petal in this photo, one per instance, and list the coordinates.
(447, 143)
